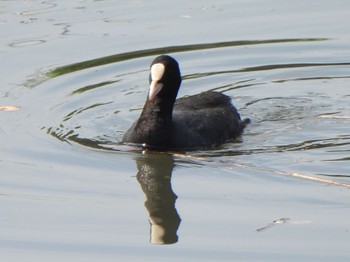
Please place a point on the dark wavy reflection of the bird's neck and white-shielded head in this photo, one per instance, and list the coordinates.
(154, 176)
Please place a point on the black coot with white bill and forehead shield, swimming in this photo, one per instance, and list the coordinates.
(194, 122)
